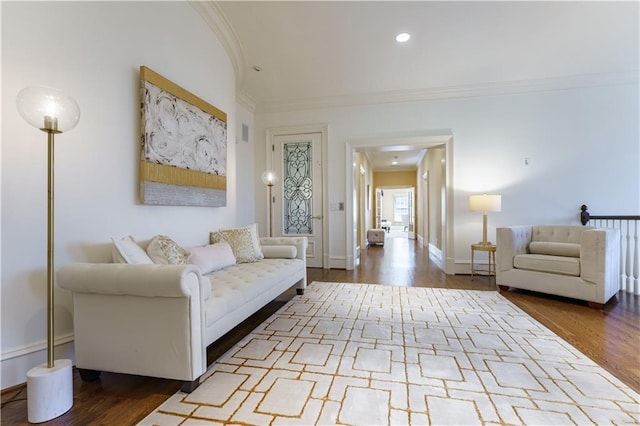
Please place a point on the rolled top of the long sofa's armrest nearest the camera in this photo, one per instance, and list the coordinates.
(124, 279)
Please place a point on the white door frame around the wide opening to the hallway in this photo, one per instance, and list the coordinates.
(423, 140)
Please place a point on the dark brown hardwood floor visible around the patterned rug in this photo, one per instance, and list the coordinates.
(609, 337)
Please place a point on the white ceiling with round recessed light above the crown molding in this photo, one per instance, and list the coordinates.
(329, 53)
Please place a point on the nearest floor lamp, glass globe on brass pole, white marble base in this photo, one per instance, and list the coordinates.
(49, 385)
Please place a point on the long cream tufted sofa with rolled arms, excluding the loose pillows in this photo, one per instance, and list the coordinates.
(157, 320)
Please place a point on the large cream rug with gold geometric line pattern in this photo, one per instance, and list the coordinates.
(361, 354)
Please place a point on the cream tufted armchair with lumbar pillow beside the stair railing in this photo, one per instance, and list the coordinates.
(571, 261)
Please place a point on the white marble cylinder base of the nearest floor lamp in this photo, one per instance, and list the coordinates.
(49, 391)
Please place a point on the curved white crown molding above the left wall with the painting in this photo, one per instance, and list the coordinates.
(218, 22)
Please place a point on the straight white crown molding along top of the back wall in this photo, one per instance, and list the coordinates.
(455, 92)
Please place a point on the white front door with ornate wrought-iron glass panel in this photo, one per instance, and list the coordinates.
(297, 208)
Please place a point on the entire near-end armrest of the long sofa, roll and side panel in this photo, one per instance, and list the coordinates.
(138, 319)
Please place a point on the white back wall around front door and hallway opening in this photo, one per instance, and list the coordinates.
(583, 146)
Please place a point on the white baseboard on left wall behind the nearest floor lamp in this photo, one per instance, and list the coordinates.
(16, 363)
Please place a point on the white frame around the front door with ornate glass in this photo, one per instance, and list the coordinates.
(323, 129)
